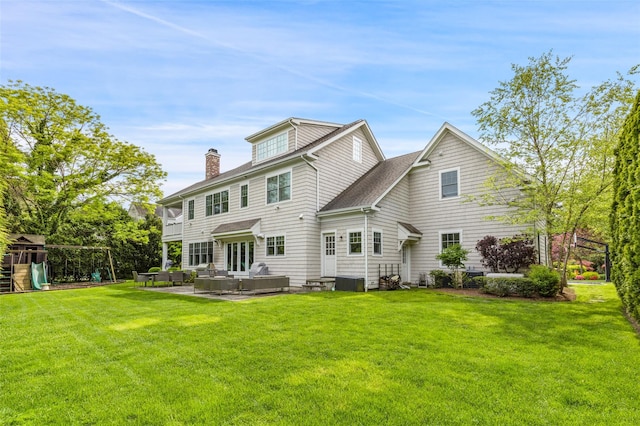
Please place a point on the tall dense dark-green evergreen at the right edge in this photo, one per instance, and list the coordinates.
(625, 214)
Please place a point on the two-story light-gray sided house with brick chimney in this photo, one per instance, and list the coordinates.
(320, 199)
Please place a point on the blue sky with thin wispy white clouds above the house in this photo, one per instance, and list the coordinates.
(180, 77)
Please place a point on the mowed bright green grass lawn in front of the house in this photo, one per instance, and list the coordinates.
(119, 355)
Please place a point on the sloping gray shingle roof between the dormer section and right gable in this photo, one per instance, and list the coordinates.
(372, 185)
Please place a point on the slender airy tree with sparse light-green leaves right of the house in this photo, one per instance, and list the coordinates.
(556, 143)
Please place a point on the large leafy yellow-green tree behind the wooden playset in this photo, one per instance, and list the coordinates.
(64, 159)
